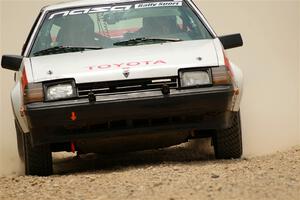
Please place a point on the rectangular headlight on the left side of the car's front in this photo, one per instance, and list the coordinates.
(60, 91)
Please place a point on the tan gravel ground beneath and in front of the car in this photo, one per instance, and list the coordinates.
(175, 173)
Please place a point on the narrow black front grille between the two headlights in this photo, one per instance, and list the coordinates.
(112, 87)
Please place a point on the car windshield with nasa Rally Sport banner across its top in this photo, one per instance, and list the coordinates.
(104, 26)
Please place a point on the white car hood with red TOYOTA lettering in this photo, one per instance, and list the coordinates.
(121, 63)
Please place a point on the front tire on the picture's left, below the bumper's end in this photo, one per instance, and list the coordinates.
(38, 159)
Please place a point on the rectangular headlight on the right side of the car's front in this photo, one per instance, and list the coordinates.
(195, 78)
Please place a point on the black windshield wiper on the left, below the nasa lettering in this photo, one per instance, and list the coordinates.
(65, 49)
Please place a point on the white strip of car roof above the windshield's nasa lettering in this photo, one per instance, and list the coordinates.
(80, 3)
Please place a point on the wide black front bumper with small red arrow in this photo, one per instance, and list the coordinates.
(131, 113)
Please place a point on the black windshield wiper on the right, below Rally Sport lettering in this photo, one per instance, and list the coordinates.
(143, 40)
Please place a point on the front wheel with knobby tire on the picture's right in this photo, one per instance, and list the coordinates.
(228, 142)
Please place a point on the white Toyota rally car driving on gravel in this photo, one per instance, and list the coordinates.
(109, 76)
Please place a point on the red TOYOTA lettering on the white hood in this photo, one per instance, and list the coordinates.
(127, 65)
